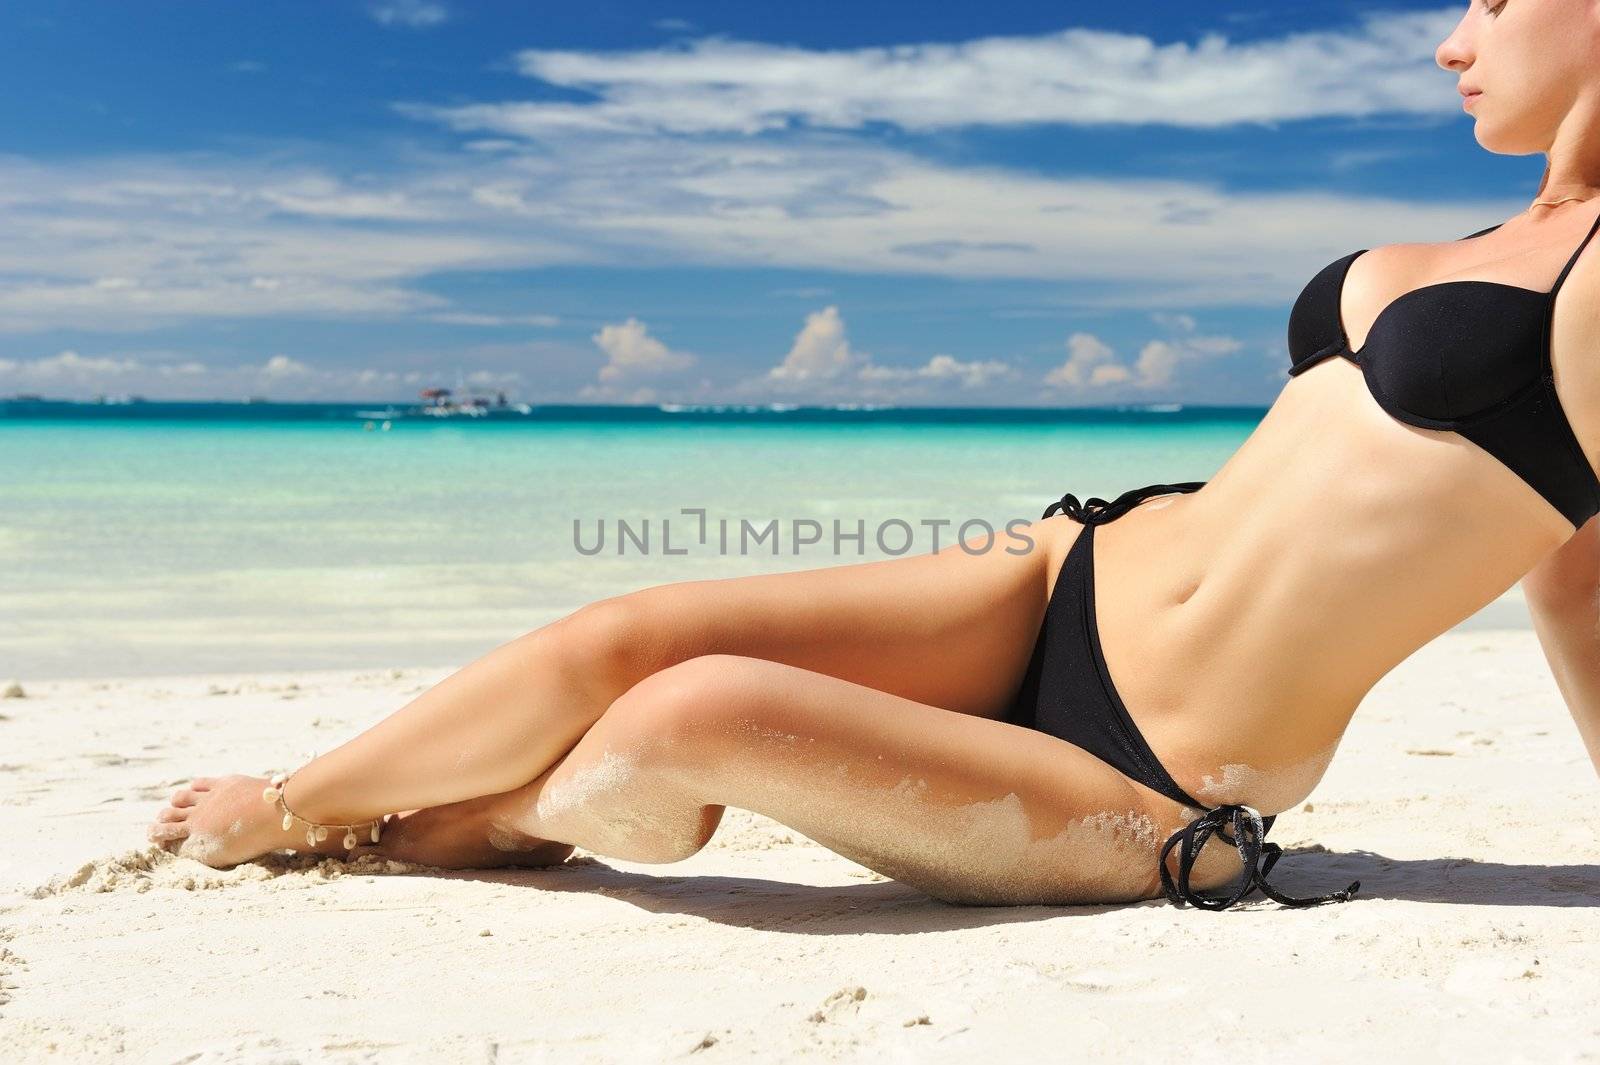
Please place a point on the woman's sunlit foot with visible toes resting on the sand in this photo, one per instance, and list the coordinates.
(223, 821)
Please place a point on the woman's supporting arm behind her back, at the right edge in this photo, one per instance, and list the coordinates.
(1564, 599)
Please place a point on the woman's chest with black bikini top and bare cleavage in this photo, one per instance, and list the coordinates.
(1513, 369)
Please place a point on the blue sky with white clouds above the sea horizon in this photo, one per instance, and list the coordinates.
(615, 202)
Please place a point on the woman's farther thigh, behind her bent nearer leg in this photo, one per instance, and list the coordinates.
(953, 628)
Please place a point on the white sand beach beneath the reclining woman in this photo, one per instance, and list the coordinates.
(1462, 799)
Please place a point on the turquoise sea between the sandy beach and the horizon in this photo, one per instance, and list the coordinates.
(185, 538)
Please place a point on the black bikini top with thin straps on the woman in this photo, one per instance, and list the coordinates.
(1471, 357)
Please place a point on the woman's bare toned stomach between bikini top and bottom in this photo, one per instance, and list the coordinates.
(1244, 624)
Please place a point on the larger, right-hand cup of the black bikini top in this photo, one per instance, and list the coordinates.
(1457, 351)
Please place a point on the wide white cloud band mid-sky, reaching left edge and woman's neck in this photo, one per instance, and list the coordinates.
(138, 244)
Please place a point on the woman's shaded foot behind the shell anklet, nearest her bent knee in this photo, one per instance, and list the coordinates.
(463, 836)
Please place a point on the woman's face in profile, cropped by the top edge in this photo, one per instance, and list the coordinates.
(1534, 62)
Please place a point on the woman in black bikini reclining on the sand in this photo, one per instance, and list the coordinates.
(988, 728)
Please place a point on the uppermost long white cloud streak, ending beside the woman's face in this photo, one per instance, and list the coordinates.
(1090, 78)
